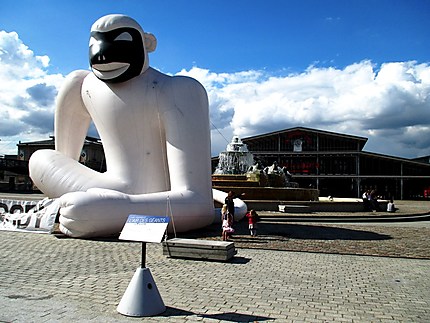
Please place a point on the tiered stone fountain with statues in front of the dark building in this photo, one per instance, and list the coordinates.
(263, 187)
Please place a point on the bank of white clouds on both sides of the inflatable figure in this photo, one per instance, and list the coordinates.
(389, 104)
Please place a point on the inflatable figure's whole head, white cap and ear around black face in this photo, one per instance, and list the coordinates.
(119, 48)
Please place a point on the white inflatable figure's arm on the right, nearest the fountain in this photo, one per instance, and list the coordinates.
(187, 129)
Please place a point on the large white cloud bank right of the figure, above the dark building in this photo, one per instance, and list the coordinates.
(389, 105)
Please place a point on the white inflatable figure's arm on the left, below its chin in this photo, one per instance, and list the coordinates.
(71, 117)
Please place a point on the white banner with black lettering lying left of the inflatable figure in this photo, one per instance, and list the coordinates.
(28, 216)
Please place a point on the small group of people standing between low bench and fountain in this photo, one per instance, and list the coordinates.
(227, 213)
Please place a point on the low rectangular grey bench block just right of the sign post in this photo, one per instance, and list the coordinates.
(199, 249)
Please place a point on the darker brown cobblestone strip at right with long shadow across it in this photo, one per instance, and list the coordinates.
(352, 239)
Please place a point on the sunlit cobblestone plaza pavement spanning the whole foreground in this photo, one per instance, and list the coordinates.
(50, 278)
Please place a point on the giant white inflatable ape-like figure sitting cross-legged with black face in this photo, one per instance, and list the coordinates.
(155, 133)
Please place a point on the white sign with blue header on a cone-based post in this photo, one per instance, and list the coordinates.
(141, 297)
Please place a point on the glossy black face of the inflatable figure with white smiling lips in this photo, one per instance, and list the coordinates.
(111, 51)
